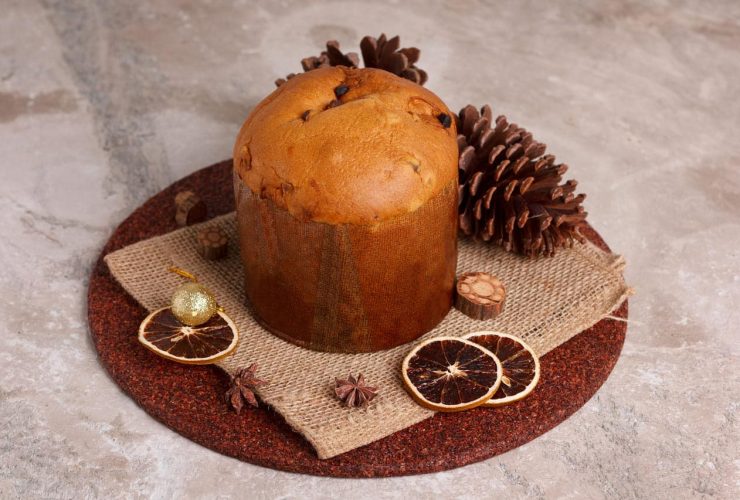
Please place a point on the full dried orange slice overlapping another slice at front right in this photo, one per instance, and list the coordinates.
(451, 374)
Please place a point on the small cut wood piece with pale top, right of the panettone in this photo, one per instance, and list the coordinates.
(479, 295)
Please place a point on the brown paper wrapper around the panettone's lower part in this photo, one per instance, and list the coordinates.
(348, 288)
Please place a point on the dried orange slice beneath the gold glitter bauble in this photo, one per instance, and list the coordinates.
(207, 343)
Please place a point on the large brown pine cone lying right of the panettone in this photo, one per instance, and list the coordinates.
(510, 190)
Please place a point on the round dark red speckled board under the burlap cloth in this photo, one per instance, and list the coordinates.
(189, 399)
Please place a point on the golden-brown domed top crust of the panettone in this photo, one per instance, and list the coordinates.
(381, 153)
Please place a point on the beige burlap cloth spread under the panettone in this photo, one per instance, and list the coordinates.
(549, 300)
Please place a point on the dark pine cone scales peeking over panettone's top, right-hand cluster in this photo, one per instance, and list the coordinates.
(385, 54)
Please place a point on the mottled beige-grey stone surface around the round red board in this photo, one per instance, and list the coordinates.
(103, 104)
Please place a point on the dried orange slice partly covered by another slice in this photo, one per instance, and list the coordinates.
(519, 362)
